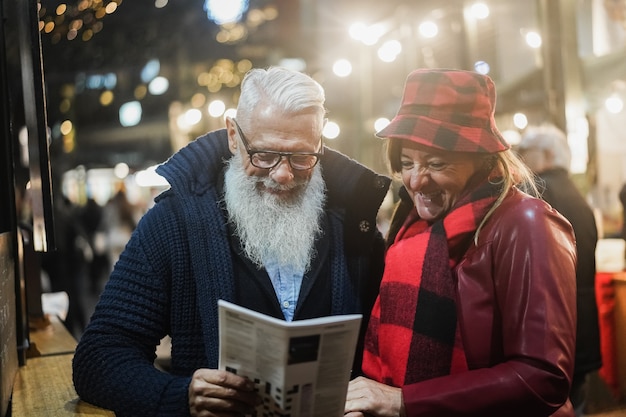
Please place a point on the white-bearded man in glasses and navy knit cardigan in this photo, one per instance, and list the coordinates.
(261, 214)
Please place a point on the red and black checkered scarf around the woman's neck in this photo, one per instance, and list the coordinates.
(413, 333)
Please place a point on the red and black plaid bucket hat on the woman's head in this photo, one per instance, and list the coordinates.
(448, 109)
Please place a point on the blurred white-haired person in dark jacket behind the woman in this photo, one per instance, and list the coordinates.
(545, 151)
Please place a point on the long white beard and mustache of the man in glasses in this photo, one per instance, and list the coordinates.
(275, 228)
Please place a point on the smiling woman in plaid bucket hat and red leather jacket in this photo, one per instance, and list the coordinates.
(477, 308)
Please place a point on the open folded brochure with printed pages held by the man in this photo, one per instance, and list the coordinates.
(301, 368)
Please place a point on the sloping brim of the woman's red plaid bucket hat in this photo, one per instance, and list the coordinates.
(444, 136)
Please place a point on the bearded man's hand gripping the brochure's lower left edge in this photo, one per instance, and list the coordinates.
(216, 393)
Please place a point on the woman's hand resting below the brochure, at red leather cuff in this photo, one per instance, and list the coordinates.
(370, 398)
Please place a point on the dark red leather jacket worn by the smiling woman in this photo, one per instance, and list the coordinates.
(516, 304)
